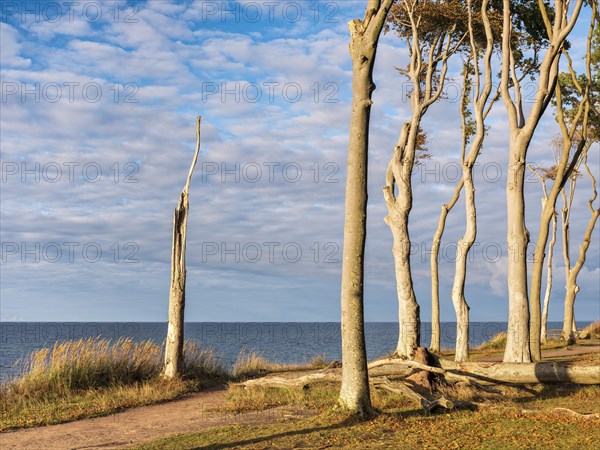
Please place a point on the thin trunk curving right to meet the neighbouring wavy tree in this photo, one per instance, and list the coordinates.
(435, 282)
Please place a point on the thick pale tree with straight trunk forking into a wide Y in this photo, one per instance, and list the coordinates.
(521, 132)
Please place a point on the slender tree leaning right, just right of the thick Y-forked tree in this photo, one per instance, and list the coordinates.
(572, 115)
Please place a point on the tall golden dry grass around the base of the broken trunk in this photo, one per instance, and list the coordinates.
(91, 377)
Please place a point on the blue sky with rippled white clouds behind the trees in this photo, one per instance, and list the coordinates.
(98, 110)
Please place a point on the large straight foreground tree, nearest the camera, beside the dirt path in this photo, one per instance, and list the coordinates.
(354, 392)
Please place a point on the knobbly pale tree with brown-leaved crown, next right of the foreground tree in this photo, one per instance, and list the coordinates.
(429, 29)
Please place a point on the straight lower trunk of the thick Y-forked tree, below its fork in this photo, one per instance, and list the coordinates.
(517, 342)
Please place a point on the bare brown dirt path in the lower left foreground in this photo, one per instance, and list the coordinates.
(193, 412)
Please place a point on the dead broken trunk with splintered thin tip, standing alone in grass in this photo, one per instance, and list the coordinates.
(174, 363)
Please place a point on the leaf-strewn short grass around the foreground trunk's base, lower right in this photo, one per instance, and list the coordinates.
(503, 425)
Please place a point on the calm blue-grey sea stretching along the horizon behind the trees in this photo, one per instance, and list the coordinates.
(286, 342)
